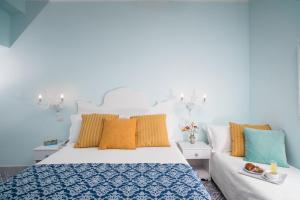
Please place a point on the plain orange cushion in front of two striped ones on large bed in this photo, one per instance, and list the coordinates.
(118, 134)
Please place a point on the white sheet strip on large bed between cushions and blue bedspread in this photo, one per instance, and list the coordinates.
(69, 154)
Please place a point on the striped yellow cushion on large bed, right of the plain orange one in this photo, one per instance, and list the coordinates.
(151, 130)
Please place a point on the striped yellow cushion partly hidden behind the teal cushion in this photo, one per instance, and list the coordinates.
(238, 139)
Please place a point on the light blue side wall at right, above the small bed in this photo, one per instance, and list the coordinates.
(275, 30)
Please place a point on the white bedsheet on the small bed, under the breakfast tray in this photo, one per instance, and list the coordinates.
(224, 171)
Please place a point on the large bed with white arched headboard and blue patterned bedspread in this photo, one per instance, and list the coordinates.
(89, 173)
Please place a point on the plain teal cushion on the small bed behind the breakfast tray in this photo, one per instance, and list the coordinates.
(263, 146)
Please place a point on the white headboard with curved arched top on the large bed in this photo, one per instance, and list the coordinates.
(128, 102)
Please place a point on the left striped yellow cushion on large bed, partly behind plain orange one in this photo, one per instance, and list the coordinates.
(91, 129)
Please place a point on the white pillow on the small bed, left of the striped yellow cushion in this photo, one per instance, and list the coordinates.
(219, 138)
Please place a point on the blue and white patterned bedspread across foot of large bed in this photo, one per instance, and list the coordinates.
(105, 181)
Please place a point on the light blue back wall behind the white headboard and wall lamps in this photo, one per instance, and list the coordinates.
(85, 49)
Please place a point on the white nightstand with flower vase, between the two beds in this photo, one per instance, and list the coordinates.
(198, 156)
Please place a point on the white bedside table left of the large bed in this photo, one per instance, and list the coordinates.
(42, 152)
